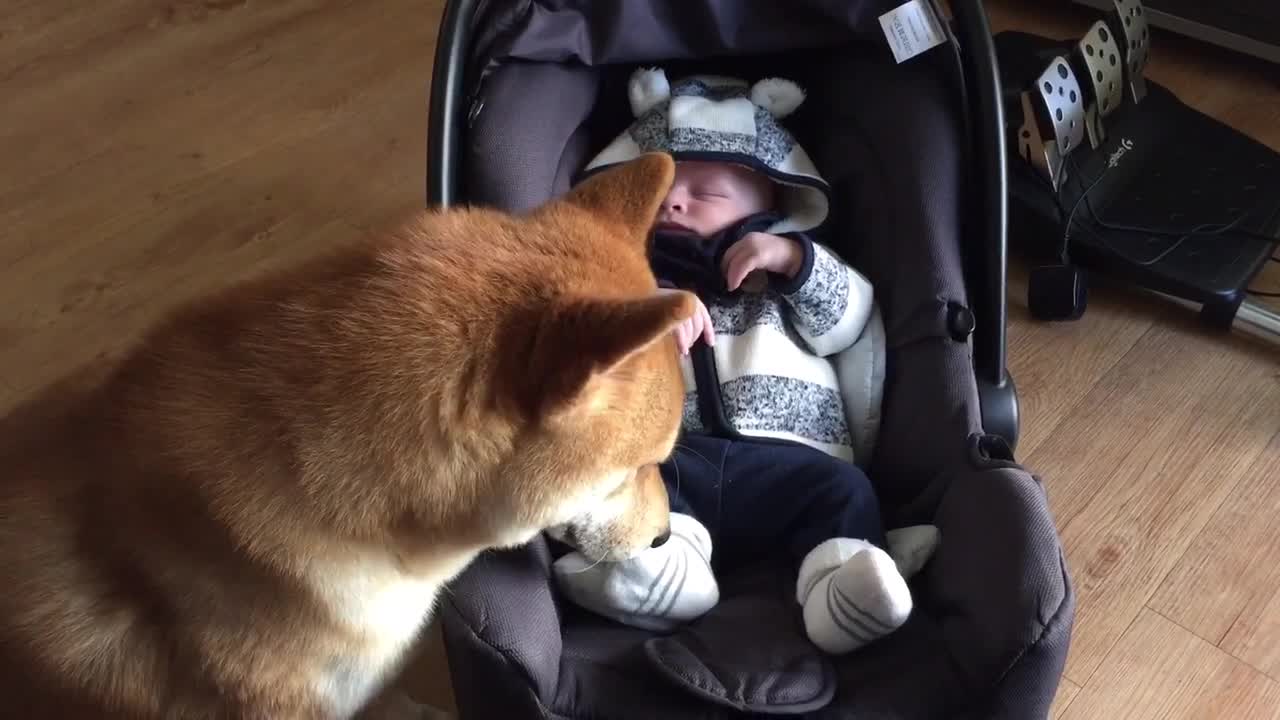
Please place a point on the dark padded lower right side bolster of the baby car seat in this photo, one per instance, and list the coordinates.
(993, 607)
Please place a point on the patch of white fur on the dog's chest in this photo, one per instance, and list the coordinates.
(383, 609)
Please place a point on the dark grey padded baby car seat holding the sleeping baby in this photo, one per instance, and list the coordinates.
(524, 93)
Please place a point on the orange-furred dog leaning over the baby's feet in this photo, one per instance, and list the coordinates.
(252, 516)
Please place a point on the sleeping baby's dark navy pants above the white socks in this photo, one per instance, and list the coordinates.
(760, 498)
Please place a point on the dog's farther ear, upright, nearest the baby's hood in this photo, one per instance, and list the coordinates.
(629, 194)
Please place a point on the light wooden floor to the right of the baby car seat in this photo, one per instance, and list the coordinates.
(1160, 446)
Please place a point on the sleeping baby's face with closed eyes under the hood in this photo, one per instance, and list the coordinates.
(707, 198)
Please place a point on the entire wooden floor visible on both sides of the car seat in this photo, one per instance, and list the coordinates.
(153, 151)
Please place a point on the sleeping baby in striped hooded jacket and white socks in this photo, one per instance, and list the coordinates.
(766, 461)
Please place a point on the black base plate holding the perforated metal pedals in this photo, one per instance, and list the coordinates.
(1168, 166)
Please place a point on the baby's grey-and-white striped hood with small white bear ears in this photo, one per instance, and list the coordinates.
(725, 119)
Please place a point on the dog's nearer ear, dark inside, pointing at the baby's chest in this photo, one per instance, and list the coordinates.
(580, 344)
